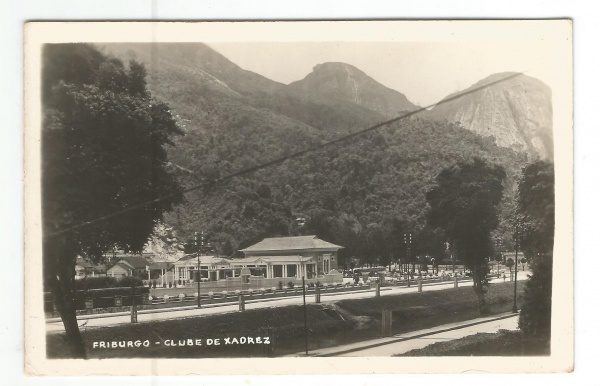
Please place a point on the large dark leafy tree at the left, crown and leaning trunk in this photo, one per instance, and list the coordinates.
(103, 159)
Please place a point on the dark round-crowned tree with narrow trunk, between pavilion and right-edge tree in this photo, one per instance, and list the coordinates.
(463, 203)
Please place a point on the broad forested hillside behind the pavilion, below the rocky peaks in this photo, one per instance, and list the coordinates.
(362, 194)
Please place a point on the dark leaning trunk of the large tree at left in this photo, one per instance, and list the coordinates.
(61, 283)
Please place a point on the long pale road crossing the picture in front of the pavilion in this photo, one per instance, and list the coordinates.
(102, 320)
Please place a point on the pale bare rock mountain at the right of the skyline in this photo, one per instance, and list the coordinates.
(516, 112)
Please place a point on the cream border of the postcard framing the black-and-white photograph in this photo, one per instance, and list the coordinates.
(556, 31)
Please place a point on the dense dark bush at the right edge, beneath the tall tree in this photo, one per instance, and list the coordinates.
(536, 311)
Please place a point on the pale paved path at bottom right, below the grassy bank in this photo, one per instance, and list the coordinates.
(399, 344)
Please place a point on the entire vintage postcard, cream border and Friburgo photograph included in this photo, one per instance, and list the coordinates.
(297, 197)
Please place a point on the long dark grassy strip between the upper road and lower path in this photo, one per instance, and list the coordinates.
(329, 325)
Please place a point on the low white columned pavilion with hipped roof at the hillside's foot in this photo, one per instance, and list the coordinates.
(271, 263)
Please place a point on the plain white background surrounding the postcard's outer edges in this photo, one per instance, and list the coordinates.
(587, 61)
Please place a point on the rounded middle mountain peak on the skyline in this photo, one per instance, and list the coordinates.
(342, 81)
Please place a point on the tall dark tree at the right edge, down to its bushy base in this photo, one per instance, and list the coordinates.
(535, 206)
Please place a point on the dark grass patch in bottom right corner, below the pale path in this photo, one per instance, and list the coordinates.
(502, 343)
